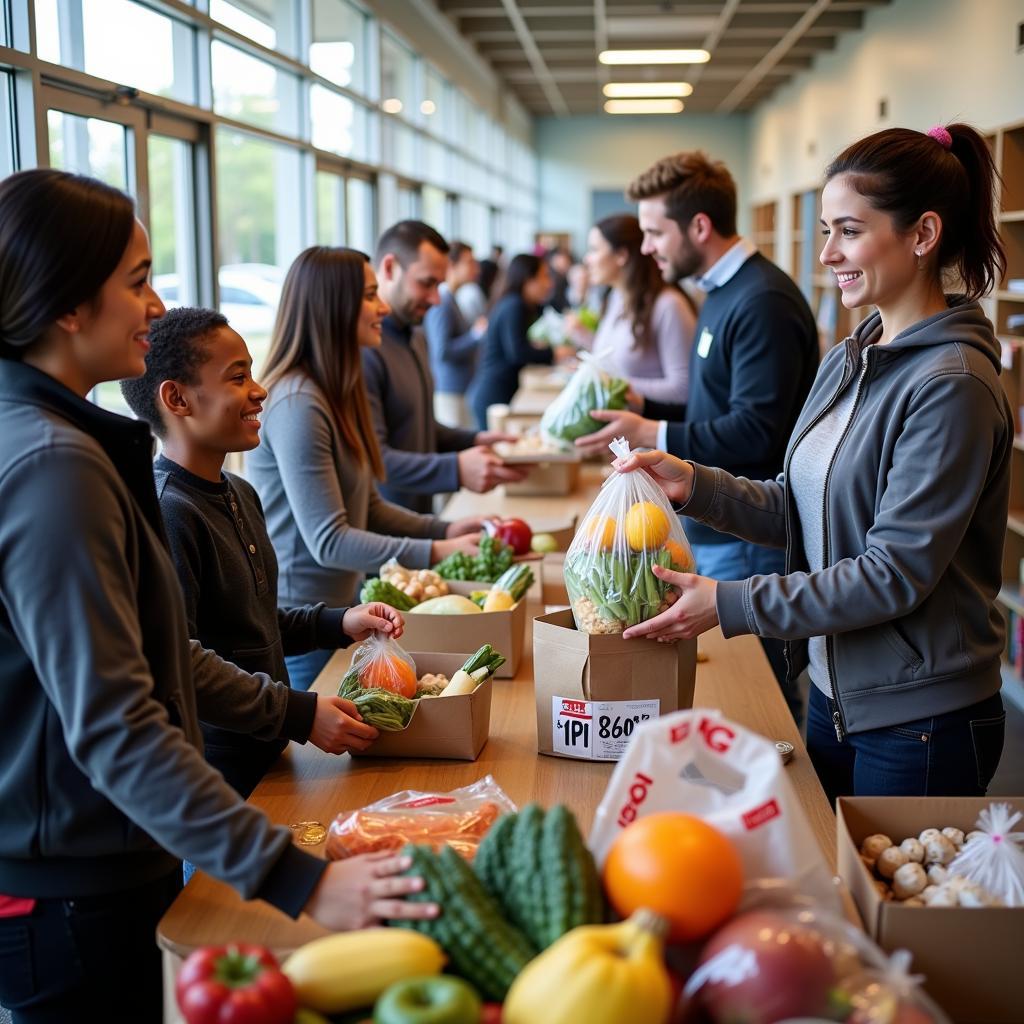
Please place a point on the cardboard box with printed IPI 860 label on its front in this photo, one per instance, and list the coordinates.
(592, 691)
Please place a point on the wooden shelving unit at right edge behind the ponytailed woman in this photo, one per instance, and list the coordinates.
(1006, 308)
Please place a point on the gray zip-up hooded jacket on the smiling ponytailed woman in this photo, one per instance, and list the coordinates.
(915, 515)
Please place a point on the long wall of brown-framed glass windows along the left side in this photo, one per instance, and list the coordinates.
(246, 136)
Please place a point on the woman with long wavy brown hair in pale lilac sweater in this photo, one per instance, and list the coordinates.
(647, 329)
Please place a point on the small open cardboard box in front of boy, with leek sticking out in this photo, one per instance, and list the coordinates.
(456, 728)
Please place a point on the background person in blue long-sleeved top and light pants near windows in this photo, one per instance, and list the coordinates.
(453, 344)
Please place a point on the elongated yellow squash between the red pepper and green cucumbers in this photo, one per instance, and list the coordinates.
(350, 970)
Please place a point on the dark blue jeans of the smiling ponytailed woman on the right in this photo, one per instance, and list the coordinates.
(952, 755)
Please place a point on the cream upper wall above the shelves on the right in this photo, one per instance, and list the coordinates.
(933, 61)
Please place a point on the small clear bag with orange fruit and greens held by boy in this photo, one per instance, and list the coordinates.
(381, 682)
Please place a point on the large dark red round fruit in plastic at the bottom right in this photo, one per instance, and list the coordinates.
(762, 968)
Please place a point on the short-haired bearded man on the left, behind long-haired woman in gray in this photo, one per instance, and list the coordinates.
(422, 457)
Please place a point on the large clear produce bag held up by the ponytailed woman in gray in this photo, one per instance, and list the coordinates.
(609, 568)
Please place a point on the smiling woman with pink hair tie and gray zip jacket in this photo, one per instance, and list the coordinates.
(893, 500)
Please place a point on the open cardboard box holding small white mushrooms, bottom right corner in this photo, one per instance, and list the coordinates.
(970, 956)
